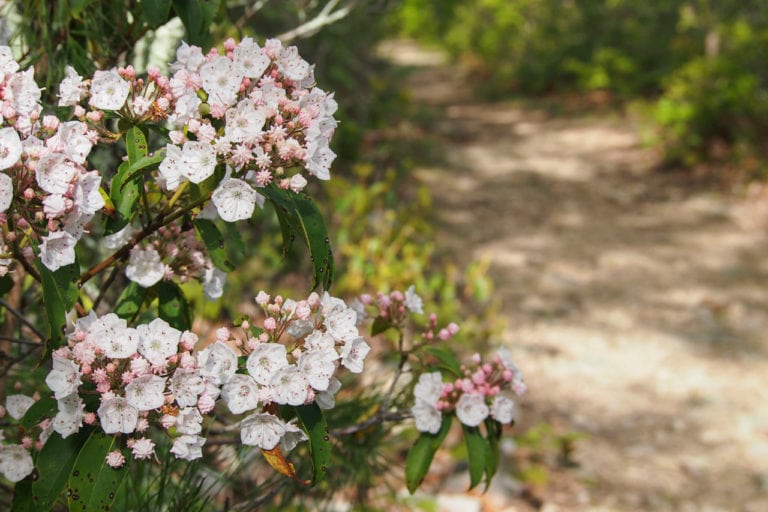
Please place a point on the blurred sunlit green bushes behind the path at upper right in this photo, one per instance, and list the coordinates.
(700, 64)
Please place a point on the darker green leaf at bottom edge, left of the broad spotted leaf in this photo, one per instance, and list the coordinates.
(54, 465)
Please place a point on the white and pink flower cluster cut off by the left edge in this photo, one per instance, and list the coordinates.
(43, 166)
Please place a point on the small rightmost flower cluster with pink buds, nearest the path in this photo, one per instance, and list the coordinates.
(482, 392)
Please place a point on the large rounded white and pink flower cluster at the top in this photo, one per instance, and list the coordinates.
(274, 119)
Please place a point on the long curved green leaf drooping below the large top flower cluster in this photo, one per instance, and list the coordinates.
(299, 217)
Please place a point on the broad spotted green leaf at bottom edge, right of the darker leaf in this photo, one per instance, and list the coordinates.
(92, 484)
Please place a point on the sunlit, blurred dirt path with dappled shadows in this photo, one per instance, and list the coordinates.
(637, 300)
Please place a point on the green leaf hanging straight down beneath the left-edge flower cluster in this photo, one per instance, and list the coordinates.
(59, 296)
